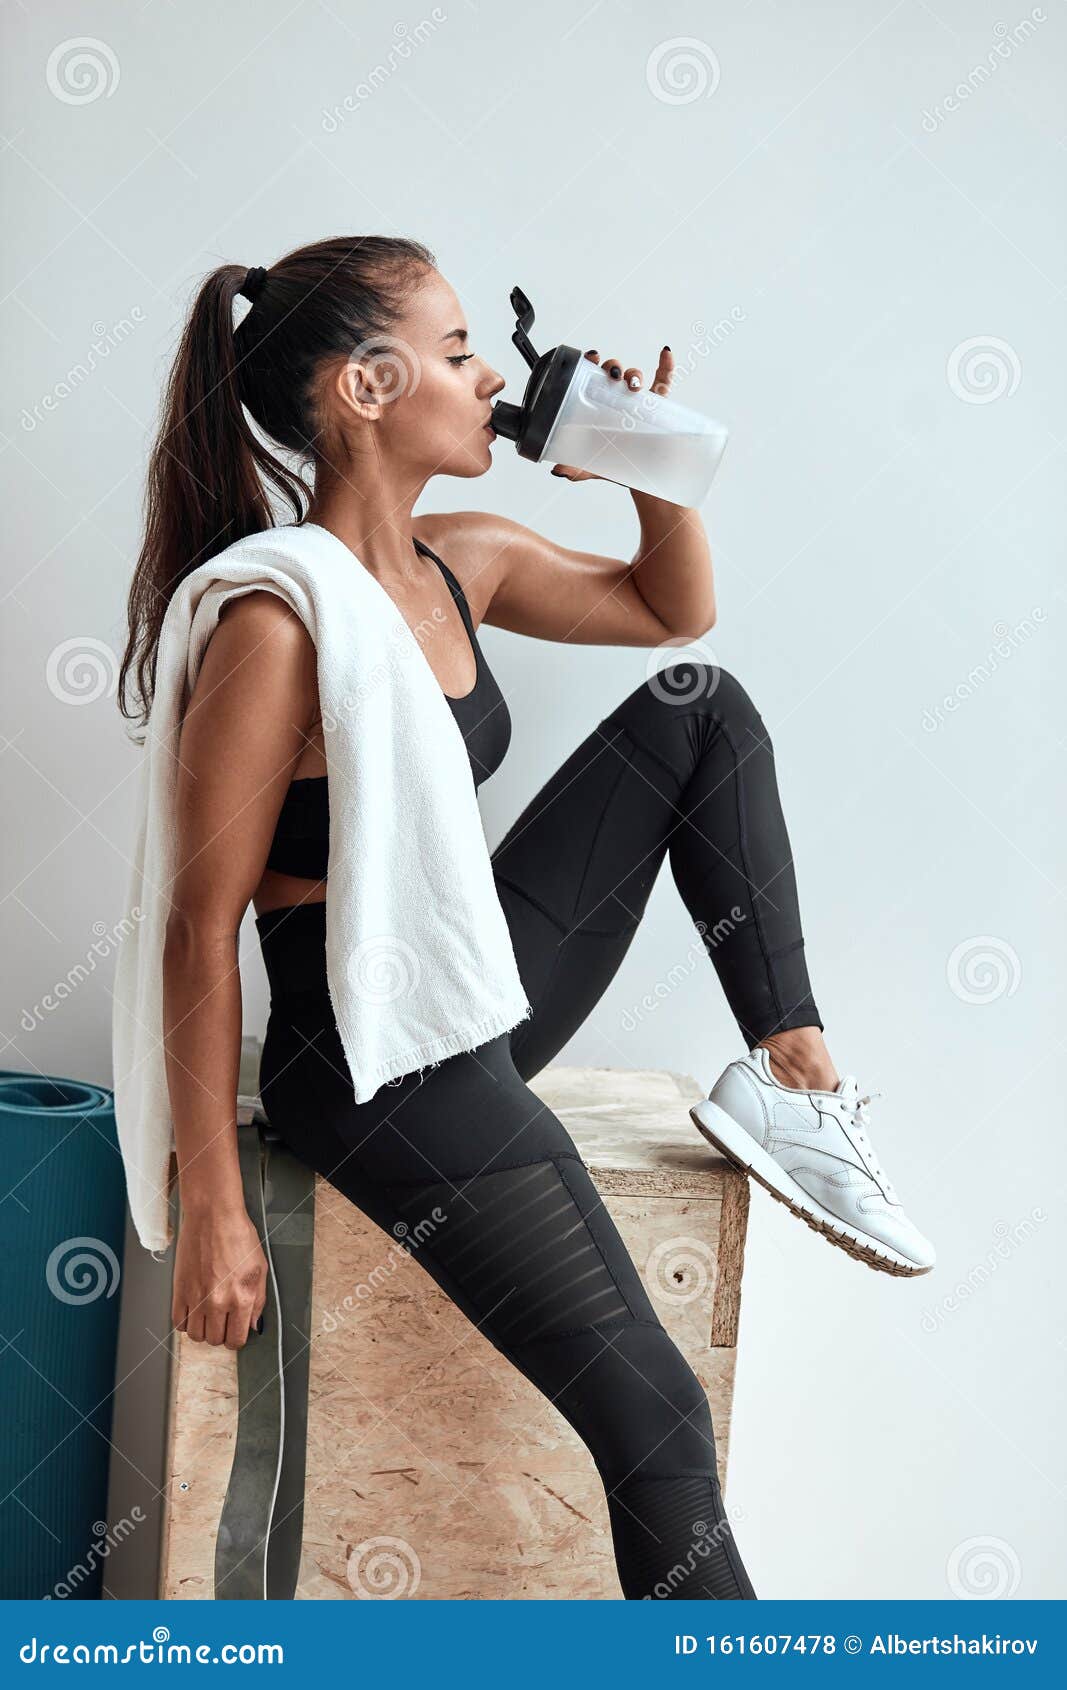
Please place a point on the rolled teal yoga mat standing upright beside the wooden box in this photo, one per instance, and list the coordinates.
(63, 1194)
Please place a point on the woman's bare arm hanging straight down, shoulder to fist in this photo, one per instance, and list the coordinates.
(244, 728)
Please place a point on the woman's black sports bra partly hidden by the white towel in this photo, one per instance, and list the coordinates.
(302, 837)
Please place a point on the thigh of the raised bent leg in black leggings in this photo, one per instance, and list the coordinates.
(576, 870)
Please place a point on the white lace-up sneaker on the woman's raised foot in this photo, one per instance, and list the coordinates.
(813, 1152)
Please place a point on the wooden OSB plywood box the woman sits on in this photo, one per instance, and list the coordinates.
(435, 1469)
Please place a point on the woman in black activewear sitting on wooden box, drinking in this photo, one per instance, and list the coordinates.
(356, 359)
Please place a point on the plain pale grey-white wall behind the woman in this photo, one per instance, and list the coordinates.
(889, 510)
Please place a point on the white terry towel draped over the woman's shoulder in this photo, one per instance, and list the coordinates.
(420, 962)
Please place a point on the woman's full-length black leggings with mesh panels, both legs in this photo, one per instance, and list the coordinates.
(466, 1160)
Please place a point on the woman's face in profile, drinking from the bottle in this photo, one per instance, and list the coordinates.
(434, 390)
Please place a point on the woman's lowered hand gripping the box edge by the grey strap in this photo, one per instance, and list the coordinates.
(221, 1277)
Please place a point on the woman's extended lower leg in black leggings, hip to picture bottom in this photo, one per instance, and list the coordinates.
(481, 1182)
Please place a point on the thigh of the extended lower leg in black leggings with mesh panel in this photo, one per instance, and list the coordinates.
(473, 1174)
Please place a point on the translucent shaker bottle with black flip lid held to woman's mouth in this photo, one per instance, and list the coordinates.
(574, 413)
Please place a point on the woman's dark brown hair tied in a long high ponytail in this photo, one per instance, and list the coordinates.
(204, 482)
